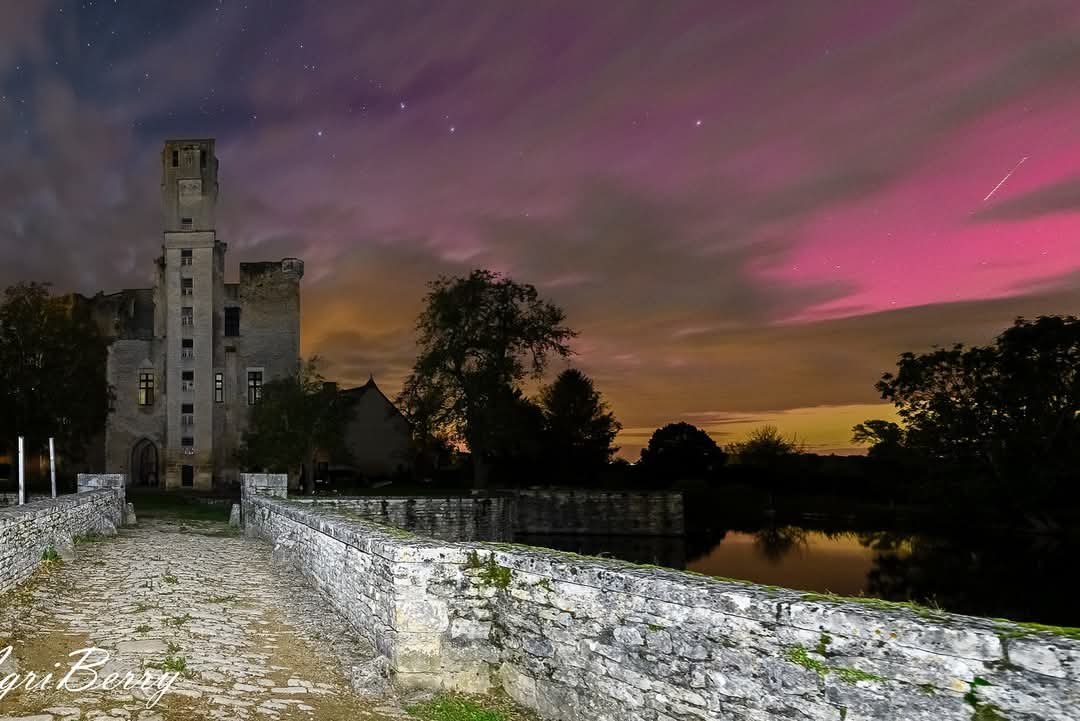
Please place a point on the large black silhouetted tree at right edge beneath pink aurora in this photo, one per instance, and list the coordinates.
(1006, 414)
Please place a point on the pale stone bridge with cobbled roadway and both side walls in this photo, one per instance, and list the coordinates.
(302, 616)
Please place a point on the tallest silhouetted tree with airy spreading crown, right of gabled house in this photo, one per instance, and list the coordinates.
(480, 337)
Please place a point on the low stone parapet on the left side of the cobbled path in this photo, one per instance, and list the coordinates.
(26, 532)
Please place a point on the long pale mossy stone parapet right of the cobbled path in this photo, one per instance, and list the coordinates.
(584, 640)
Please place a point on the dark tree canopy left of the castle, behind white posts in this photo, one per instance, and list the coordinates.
(52, 371)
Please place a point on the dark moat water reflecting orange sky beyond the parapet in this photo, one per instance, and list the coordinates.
(1010, 576)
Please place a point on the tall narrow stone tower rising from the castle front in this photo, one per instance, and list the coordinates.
(191, 298)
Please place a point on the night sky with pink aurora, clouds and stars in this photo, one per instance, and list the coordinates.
(748, 210)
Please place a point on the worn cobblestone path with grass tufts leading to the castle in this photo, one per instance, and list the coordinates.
(253, 642)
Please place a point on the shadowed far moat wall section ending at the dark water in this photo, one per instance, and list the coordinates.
(600, 513)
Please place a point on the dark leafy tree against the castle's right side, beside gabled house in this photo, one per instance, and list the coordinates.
(293, 419)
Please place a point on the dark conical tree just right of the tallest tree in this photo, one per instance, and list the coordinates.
(578, 427)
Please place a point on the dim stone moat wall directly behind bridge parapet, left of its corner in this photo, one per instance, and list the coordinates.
(451, 519)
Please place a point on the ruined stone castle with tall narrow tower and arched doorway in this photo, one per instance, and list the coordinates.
(188, 357)
